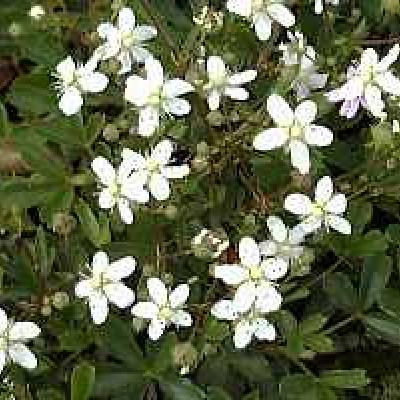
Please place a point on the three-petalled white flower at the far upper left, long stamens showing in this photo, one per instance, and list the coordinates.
(73, 81)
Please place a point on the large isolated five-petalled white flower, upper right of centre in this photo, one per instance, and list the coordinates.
(295, 131)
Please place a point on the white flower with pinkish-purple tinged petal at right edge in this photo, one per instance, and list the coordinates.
(366, 82)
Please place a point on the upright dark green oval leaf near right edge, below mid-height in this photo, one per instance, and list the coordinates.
(374, 277)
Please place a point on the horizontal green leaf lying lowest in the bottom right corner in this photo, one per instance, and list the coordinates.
(342, 379)
